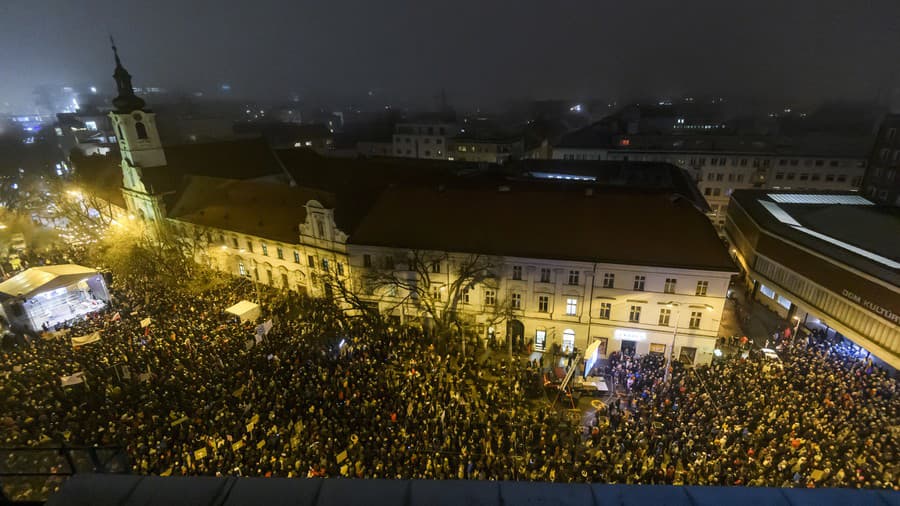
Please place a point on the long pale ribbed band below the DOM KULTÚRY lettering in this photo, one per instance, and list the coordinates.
(844, 311)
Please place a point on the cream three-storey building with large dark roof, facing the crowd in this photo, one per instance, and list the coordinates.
(635, 270)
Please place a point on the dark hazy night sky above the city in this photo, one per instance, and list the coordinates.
(477, 49)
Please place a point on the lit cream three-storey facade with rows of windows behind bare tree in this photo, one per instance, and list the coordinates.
(588, 293)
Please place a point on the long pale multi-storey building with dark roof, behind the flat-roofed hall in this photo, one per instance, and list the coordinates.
(722, 164)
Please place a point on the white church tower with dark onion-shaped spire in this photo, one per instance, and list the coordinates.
(139, 145)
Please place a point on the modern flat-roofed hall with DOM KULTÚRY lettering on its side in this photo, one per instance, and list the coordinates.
(827, 261)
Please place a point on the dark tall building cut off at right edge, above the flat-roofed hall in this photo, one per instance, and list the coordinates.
(882, 181)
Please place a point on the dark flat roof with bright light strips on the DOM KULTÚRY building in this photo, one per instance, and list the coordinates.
(844, 227)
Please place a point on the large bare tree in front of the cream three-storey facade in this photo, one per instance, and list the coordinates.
(438, 285)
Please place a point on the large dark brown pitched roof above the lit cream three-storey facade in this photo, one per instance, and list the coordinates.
(549, 222)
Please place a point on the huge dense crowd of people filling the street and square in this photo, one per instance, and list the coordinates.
(321, 394)
